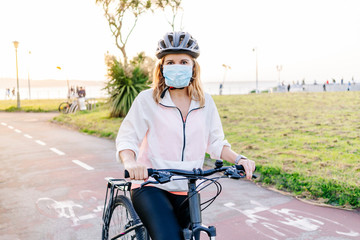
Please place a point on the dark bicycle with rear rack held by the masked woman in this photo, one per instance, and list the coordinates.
(120, 221)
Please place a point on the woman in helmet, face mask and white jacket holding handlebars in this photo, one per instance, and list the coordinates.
(172, 125)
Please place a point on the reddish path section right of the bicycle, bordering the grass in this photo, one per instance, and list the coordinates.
(261, 214)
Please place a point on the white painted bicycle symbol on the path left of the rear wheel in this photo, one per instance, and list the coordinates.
(66, 209)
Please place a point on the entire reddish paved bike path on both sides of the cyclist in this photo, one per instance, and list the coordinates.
(53, 187)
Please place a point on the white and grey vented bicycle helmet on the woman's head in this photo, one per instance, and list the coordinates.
(177, 42)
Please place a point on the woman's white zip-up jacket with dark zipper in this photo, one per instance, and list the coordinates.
(161, 138)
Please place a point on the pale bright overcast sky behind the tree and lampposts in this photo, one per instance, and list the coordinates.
(311, 39)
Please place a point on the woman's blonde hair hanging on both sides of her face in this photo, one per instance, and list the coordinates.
(194, 90)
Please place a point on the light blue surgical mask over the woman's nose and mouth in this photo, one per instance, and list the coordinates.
(177, 76)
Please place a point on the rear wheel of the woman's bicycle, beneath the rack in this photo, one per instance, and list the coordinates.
(122, 215)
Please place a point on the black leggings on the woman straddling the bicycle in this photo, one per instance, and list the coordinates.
(161, 212)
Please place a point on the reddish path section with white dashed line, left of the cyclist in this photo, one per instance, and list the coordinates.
(52, 179)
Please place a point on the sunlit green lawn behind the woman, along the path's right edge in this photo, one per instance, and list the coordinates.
(304, 143)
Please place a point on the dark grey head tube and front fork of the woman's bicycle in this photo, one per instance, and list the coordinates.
(195, 216)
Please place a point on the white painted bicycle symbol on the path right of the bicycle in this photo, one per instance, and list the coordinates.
(283, 223)
